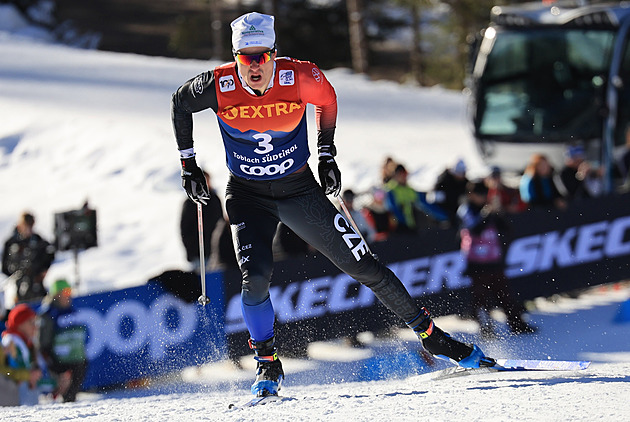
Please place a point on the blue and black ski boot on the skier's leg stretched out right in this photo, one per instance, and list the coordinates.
(443, 346)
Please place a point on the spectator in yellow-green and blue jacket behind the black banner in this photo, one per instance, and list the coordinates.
(402, 200)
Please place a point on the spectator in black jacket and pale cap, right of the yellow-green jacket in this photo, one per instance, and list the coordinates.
(449, 190)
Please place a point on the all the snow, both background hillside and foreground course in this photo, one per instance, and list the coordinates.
(85, 125)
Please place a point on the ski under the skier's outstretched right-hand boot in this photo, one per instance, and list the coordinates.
(513, 365)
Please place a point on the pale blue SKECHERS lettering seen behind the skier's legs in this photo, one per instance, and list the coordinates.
(329, 295)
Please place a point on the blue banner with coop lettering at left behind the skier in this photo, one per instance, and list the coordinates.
(146, 331)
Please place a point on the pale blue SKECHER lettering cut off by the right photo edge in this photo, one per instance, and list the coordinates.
(575, 246)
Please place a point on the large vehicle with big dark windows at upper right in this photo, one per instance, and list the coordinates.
(550, 74)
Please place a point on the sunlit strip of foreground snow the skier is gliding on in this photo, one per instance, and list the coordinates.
(600, 392)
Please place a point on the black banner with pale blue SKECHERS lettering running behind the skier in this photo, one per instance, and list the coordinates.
(548, 252)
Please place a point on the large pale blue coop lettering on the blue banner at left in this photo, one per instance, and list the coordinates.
(145, 325)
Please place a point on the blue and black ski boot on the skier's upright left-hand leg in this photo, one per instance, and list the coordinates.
(269, 373)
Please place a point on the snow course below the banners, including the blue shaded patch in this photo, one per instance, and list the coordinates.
(581, 328)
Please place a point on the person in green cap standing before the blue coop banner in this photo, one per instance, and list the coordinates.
(62, 343)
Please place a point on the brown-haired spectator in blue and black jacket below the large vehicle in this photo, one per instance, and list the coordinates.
(537, 186)
